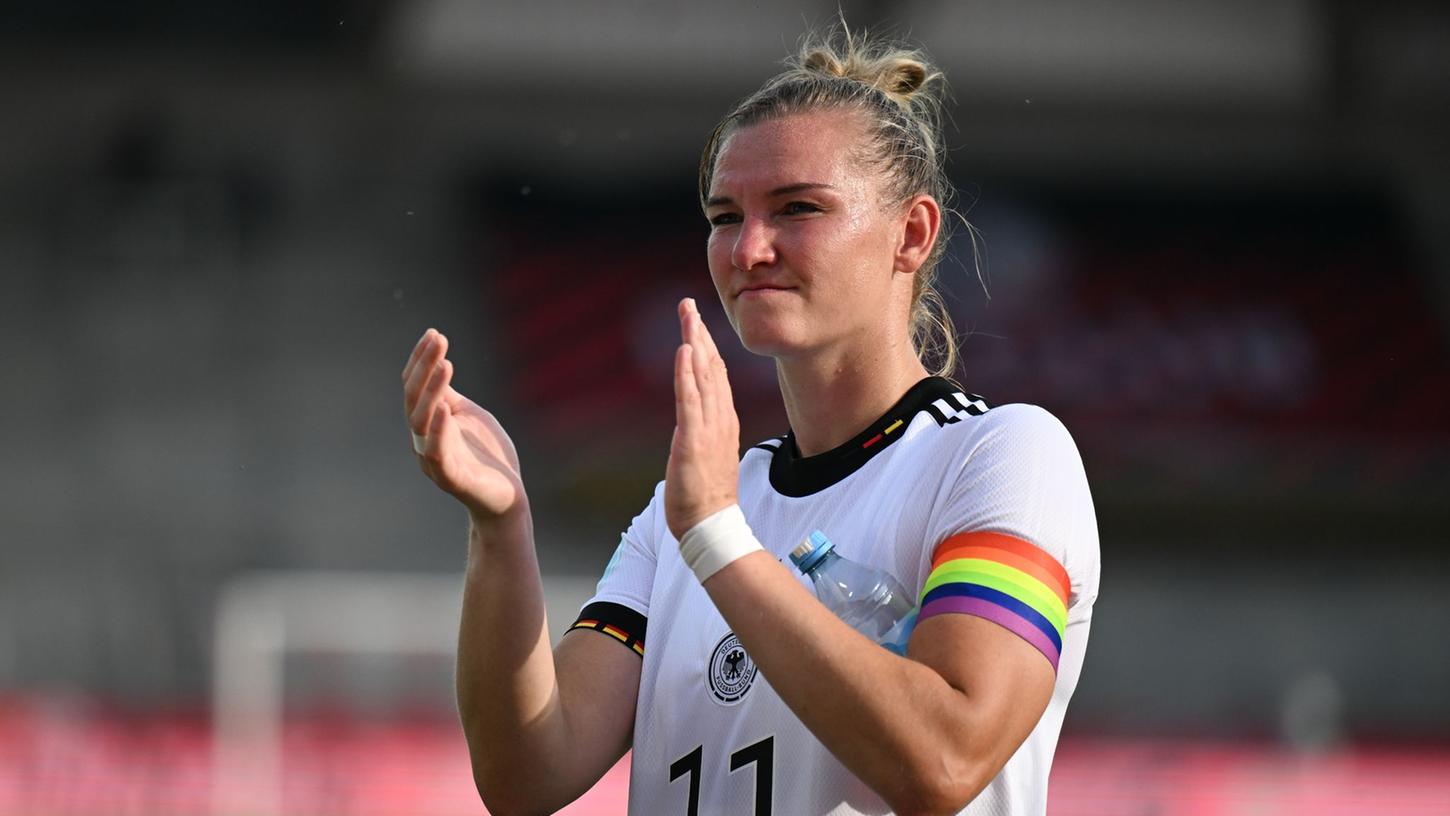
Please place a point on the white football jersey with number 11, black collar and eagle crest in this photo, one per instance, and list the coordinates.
(978, 512)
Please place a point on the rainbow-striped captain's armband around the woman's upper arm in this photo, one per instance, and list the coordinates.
(1006, 580)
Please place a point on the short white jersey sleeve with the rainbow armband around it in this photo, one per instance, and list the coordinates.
(1016, 540)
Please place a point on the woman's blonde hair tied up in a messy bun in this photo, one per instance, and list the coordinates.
(898, 93)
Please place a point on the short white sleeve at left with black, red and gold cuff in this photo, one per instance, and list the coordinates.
(621, 602)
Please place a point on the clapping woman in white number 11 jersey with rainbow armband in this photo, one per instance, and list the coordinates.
(824, 192)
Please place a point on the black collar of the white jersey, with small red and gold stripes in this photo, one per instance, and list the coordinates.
(792, 475)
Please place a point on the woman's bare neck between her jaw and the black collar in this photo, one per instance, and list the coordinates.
(832, 398)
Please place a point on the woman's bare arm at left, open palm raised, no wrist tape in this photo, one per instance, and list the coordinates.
(536, 738)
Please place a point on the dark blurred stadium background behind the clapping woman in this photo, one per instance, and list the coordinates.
(1219, 244)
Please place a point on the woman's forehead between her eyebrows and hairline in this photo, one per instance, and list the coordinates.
(805, 147)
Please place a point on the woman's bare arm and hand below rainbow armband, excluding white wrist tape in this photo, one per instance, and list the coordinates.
(926, 733)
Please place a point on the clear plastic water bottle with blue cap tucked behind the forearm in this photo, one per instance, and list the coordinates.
(868, 599)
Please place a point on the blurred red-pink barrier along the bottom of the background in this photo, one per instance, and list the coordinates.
(62, 759)
